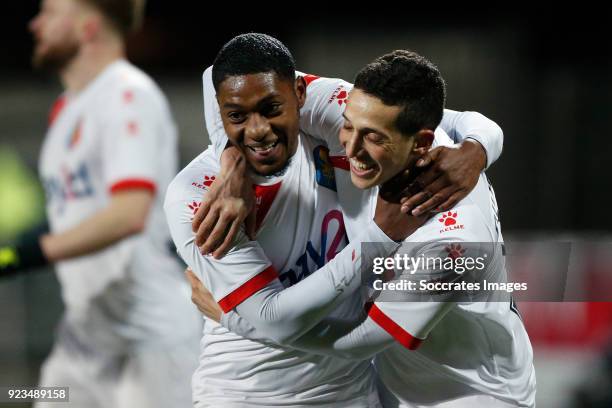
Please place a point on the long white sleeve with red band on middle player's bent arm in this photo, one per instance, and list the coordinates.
(244, 279)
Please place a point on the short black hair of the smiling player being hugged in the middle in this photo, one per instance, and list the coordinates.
(253, 53)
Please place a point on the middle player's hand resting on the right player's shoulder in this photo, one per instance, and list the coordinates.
(447, 175)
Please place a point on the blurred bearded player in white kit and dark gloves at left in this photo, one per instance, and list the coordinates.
(128, 337)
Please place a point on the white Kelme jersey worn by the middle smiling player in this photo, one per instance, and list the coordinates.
(300, 229)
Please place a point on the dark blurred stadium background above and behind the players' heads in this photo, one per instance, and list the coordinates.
(543, 73)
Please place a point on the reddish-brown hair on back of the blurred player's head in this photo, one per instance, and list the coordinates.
(125, 15)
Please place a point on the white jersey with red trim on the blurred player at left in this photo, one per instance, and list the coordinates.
(117, 133)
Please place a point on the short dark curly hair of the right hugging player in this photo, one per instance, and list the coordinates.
(404, 78)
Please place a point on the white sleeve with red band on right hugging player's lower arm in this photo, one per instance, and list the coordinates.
(404, 317)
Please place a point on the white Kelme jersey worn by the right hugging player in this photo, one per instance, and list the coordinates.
(451, 350)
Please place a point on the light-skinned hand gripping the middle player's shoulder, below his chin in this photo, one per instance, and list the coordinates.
(229, 202)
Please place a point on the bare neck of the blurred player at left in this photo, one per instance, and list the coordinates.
(91, 60)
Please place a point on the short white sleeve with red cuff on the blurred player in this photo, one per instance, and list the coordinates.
(132, 133)
